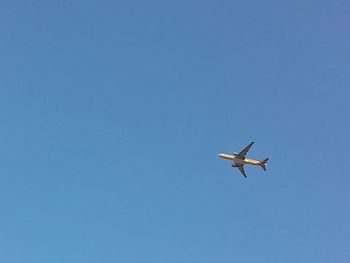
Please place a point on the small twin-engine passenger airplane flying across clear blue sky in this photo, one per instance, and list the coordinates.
(239, 159)
